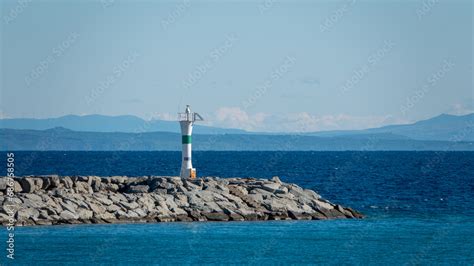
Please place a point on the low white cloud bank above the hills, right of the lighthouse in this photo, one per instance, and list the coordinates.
(235, 117)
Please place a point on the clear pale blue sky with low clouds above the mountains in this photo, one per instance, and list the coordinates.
(265, 65)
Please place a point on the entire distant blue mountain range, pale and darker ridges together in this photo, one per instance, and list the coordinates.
(95, 132)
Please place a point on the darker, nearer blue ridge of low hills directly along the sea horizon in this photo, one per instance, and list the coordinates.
(65, 139)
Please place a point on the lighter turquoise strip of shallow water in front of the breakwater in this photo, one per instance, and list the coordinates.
(370, 241)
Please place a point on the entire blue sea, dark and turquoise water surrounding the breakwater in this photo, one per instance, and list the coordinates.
(419, 207)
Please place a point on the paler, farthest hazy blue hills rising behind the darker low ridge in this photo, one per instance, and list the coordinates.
(443, 127)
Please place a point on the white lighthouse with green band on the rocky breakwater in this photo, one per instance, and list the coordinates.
(186, 120)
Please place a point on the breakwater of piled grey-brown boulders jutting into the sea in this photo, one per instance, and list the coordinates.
(50, 200)
